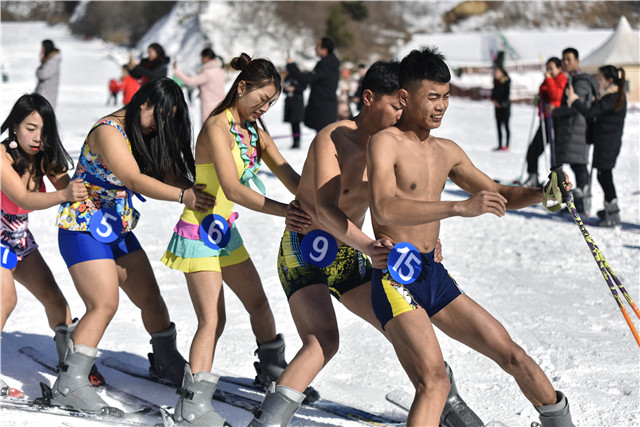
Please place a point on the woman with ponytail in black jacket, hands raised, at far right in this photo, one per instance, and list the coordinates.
(606, 116)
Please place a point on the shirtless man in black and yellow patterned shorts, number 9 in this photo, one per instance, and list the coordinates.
(333, 189)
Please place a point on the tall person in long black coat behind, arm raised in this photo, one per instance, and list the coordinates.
(322, 107)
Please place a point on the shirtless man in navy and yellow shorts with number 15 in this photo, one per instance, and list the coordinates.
(407, 169)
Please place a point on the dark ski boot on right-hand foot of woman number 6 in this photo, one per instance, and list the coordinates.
(271, 363)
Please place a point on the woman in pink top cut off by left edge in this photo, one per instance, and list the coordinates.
(32, 151)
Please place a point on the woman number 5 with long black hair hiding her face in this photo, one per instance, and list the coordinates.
(141, 149)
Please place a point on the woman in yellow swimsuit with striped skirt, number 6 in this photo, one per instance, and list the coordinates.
(228, 153)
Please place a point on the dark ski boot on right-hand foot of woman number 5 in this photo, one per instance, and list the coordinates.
(166, 361)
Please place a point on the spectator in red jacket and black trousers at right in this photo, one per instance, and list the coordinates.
(549, 97)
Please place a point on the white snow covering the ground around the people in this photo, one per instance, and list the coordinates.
(531, 269)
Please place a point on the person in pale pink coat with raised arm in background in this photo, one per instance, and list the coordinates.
(209, 79)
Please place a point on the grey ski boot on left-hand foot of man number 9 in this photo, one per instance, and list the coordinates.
(278, 407)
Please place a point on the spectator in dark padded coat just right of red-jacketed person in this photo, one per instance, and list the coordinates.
(570, 128)
